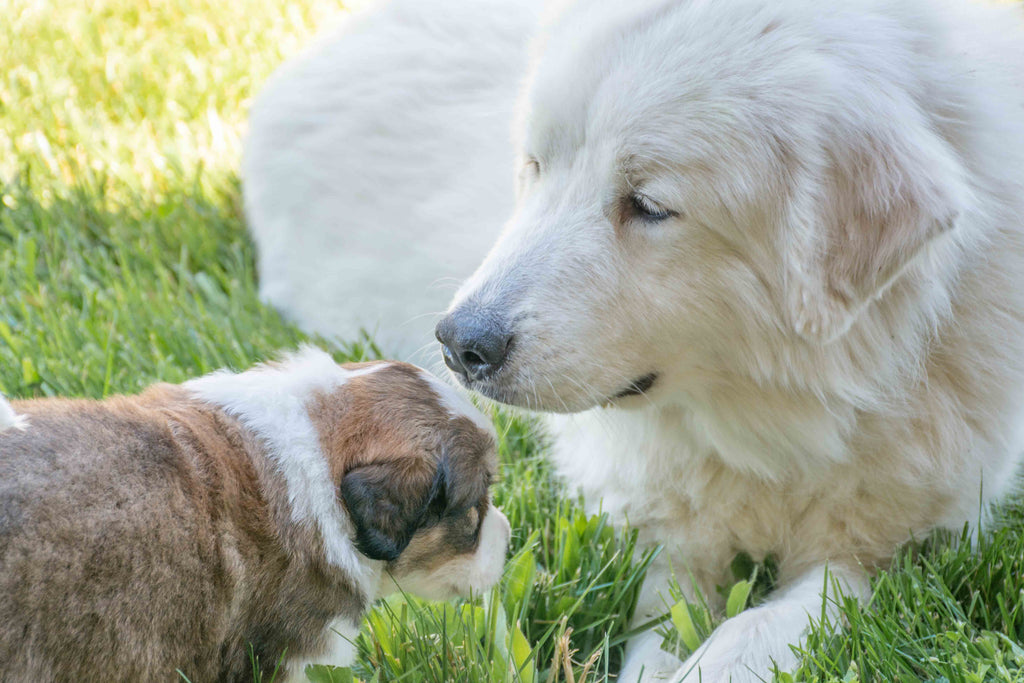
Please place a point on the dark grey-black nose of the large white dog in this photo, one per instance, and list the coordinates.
(474, 344)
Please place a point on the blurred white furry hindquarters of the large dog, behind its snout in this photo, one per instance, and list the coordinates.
(377, 169)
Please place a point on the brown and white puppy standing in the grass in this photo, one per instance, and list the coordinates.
(267, 509)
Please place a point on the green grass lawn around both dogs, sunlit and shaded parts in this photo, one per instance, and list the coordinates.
(124, 262)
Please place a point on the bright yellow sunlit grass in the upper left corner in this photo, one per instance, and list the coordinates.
(139, 92)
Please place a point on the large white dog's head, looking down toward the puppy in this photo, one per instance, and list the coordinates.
(709, 190)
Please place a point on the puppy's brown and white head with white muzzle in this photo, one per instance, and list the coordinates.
(413, 462)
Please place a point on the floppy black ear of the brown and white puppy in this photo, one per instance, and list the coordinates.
(388, 506)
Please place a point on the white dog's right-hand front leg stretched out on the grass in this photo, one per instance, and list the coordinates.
(747, 648)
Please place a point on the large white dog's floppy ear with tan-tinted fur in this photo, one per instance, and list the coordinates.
(877, 201)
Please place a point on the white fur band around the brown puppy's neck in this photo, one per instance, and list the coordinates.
(272, 401)
